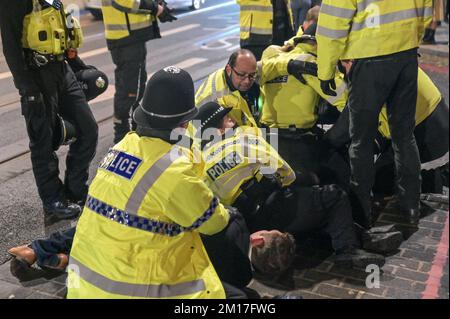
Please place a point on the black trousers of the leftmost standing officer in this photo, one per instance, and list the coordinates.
(62, 94)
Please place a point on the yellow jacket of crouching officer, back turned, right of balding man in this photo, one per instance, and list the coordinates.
(287, 101)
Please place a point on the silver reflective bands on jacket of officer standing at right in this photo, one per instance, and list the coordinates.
(370, 22)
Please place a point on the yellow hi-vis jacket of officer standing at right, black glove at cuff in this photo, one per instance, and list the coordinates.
(355, 29)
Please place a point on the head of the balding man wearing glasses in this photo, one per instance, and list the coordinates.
(242, 69)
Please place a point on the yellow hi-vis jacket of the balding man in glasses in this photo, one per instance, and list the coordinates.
(215, 88)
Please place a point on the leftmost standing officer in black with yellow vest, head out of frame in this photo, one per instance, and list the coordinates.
(35, 37)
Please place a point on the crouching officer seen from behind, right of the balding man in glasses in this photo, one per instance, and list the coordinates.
(291, 101)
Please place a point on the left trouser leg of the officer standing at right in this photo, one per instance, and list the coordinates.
(370, 84)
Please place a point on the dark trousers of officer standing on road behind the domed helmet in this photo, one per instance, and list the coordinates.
(131, 77)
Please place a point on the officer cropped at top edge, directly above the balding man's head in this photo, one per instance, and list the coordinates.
(264, 22)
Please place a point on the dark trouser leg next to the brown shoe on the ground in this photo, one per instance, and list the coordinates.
(47, 249)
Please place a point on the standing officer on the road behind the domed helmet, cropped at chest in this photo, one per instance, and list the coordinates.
(128, 26)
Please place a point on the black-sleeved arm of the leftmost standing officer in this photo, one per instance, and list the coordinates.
(12, 14)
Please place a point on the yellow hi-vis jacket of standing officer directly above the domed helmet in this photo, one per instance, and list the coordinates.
(119, 23)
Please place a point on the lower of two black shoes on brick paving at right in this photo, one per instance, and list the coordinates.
(358, 258)
